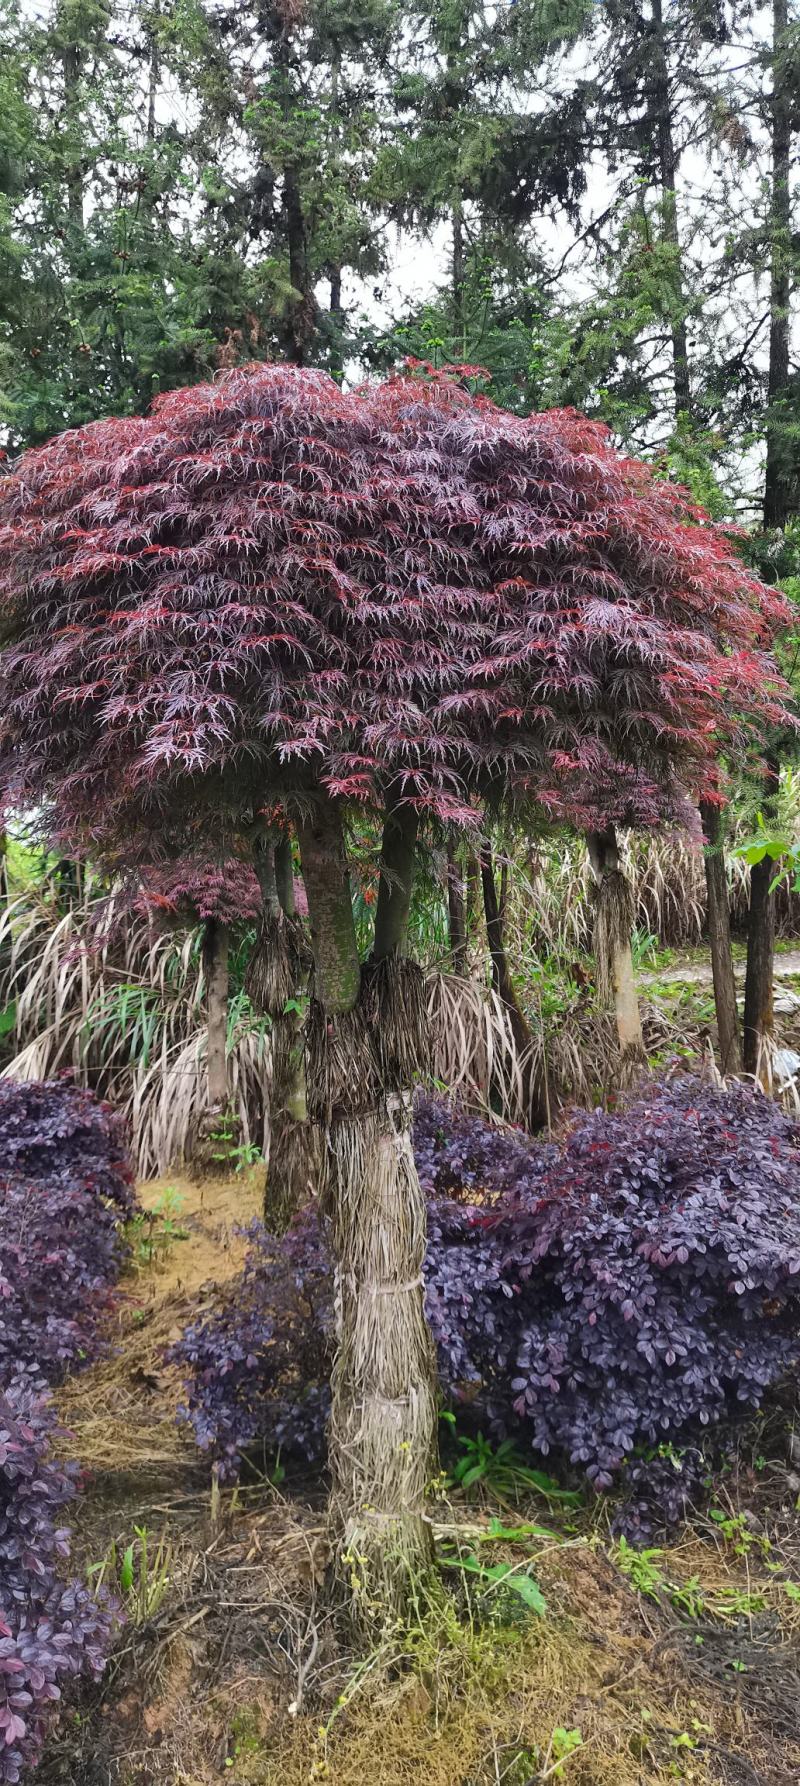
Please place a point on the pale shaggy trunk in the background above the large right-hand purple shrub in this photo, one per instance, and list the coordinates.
(613, 956)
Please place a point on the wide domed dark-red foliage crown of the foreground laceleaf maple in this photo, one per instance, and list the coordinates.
(271, 583)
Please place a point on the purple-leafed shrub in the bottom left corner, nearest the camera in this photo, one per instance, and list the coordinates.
(51, 1632)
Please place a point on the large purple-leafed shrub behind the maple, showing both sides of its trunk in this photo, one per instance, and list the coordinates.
(628, 1290)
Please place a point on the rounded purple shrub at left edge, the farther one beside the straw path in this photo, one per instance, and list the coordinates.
(65, 1190)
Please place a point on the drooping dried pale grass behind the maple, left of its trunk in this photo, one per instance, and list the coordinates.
(122, 1006)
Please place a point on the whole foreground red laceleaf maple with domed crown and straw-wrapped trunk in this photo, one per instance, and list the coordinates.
(274, 590)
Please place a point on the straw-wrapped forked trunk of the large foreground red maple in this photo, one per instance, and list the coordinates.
(365, 1031)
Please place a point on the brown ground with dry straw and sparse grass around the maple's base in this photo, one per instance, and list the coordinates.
(244, 1671)
